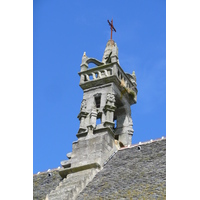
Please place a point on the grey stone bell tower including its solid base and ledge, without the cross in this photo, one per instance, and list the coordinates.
(105, 112)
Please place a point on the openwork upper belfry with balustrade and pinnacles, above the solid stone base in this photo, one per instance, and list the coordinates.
(108, 94)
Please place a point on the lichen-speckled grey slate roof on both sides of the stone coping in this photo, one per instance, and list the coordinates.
(138, 172)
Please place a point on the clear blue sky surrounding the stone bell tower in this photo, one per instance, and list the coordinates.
(62, 31)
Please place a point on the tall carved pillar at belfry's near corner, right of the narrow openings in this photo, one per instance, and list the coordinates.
(109, 110)
